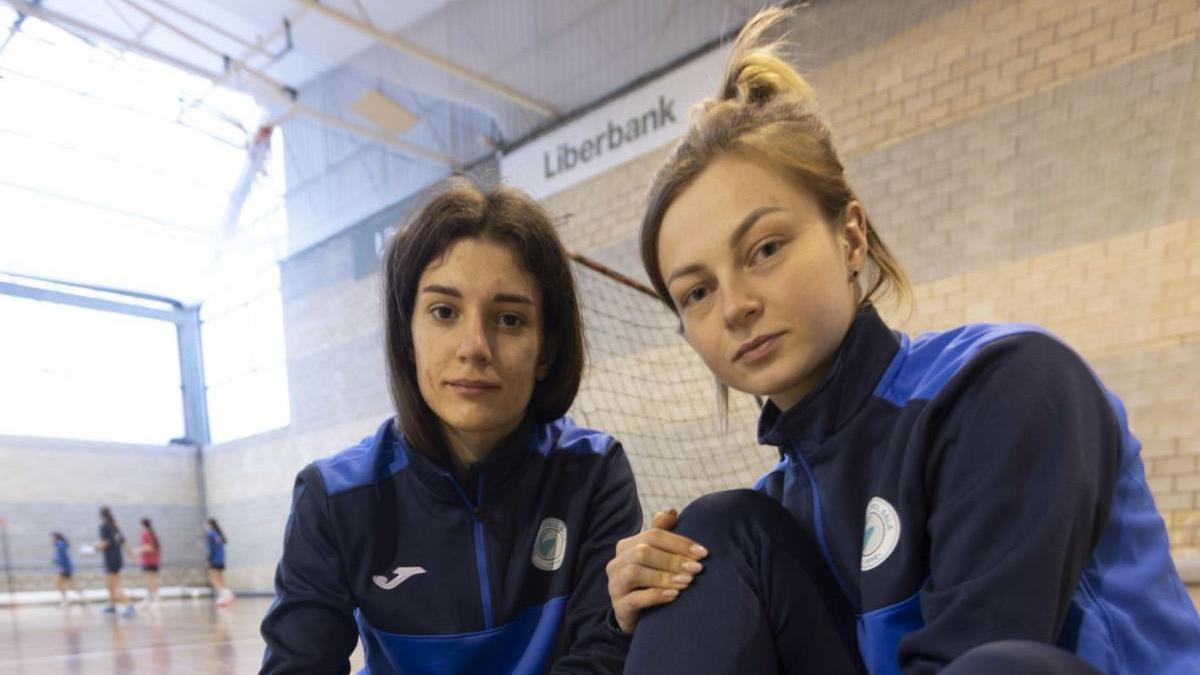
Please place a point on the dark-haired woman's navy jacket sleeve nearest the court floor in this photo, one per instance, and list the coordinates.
(310, 628)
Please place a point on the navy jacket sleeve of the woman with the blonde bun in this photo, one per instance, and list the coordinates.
(1021, 480)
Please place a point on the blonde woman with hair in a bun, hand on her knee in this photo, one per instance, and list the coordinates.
(965, 501)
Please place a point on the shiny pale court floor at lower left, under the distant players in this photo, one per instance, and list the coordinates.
(185, 637)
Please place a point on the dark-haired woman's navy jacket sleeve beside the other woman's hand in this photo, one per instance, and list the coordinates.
(595, 644)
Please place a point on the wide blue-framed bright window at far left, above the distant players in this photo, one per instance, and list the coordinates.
(75, 373)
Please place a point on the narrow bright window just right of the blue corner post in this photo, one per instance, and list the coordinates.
(242, 333)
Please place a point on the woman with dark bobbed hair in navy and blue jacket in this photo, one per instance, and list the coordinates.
(470, 534)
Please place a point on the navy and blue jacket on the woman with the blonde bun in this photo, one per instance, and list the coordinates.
(981, 485)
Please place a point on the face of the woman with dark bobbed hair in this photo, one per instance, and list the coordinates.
(477, 334)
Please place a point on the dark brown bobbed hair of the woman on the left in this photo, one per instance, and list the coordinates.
(503, 216)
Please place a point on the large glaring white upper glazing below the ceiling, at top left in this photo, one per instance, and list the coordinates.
(118, 171)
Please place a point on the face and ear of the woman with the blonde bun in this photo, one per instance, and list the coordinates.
(761, 280)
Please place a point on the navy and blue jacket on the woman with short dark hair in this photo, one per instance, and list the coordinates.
(502, 572)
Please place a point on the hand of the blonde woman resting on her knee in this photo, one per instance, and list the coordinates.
(651, 569)
